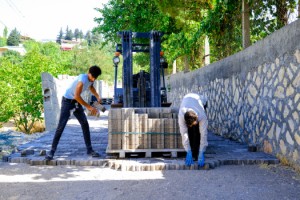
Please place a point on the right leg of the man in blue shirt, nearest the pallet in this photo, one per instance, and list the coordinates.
(81, 117)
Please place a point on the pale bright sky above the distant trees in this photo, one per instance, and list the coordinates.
(43, 19)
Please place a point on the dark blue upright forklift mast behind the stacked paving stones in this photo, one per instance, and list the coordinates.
(126, 49)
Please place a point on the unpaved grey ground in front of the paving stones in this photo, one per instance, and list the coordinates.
(22, 181)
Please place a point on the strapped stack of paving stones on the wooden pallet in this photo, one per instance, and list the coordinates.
(143, 128)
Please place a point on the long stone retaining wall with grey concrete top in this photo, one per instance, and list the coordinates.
(254, 95)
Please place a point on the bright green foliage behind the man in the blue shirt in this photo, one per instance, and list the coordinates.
(20, 82)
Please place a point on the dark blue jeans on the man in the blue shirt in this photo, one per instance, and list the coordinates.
(66, 106)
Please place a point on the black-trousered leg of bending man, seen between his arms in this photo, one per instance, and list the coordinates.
(194, 138)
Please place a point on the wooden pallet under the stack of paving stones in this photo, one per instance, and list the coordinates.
(148, 153)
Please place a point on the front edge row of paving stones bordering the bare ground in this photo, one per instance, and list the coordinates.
(138, 164)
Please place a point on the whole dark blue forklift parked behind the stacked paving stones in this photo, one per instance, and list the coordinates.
(142, 89)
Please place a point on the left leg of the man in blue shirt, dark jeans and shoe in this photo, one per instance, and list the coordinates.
(63, 119)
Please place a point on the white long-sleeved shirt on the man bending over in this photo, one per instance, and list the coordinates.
(193, 102)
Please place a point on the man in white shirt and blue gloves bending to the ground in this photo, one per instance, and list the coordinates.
(193, 127)
